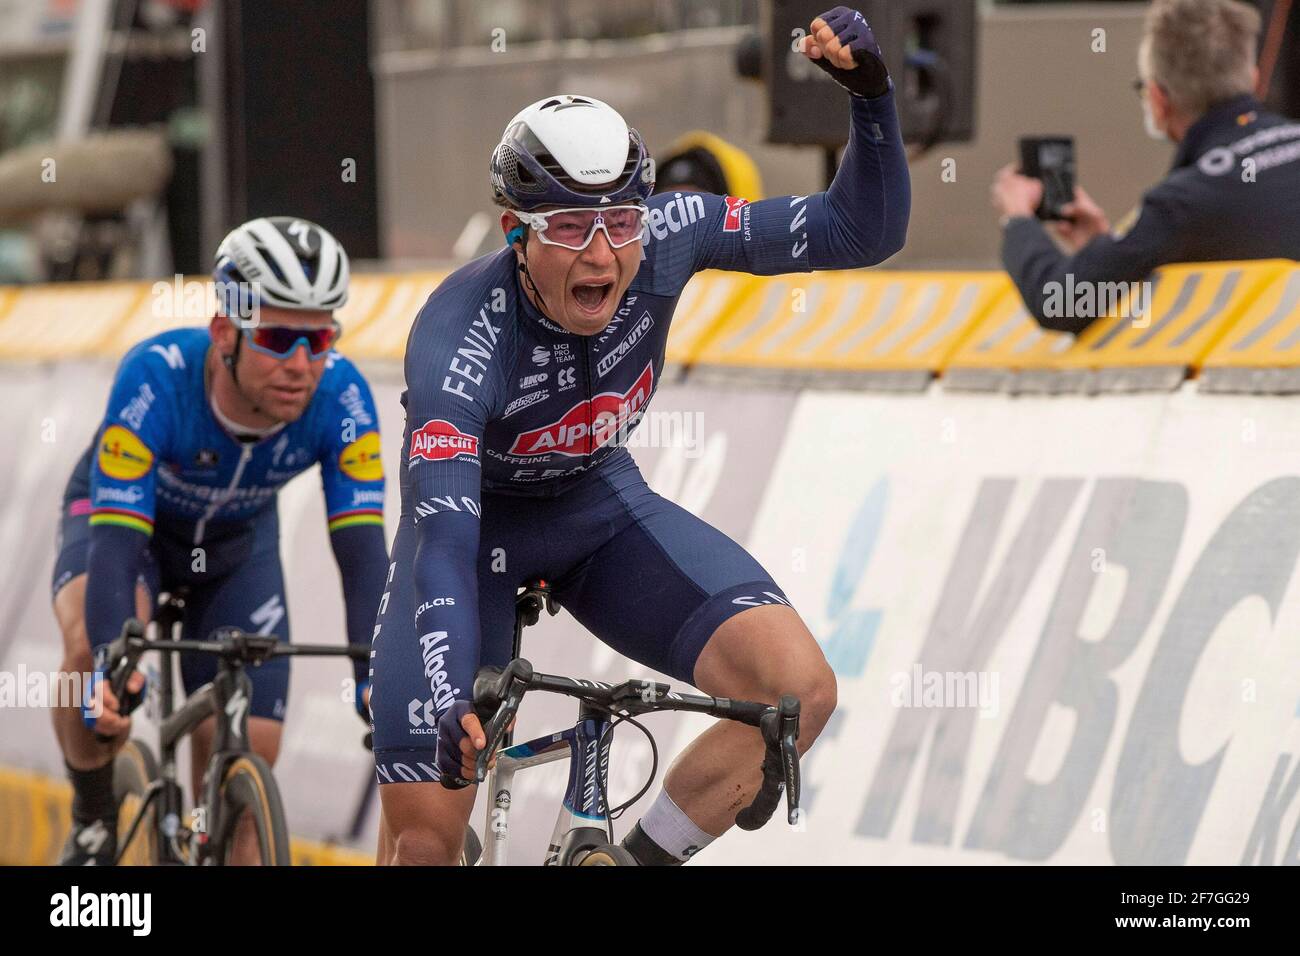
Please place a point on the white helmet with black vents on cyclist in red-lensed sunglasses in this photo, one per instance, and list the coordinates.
(292, 263)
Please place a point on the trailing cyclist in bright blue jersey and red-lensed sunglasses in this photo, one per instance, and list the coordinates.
(202, 430)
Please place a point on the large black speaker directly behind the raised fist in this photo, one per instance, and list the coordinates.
(929, 47)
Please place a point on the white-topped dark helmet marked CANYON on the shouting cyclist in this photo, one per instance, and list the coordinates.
(570, 150)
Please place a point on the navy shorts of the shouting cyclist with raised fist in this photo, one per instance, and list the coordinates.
(640, 573)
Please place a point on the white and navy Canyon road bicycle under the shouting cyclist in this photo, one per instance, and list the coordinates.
(584, 830)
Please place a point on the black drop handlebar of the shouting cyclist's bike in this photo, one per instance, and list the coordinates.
(500, 691)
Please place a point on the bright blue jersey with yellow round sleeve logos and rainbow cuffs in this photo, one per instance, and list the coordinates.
(162, 457)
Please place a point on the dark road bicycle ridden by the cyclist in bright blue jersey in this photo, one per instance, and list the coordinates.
(239, 784)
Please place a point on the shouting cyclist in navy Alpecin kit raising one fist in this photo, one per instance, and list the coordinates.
(526, 370)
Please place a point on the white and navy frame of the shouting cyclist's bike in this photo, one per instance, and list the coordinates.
(583, 806)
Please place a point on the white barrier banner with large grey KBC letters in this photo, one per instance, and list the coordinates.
(1065, 630)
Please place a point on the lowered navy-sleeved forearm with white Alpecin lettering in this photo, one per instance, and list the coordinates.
(447, 605)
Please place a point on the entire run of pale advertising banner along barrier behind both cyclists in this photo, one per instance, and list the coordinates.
(1064, 629)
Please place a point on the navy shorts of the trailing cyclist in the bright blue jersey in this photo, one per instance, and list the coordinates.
(242, 586)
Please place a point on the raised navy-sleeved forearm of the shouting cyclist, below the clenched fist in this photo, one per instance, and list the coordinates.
(865, 211)
